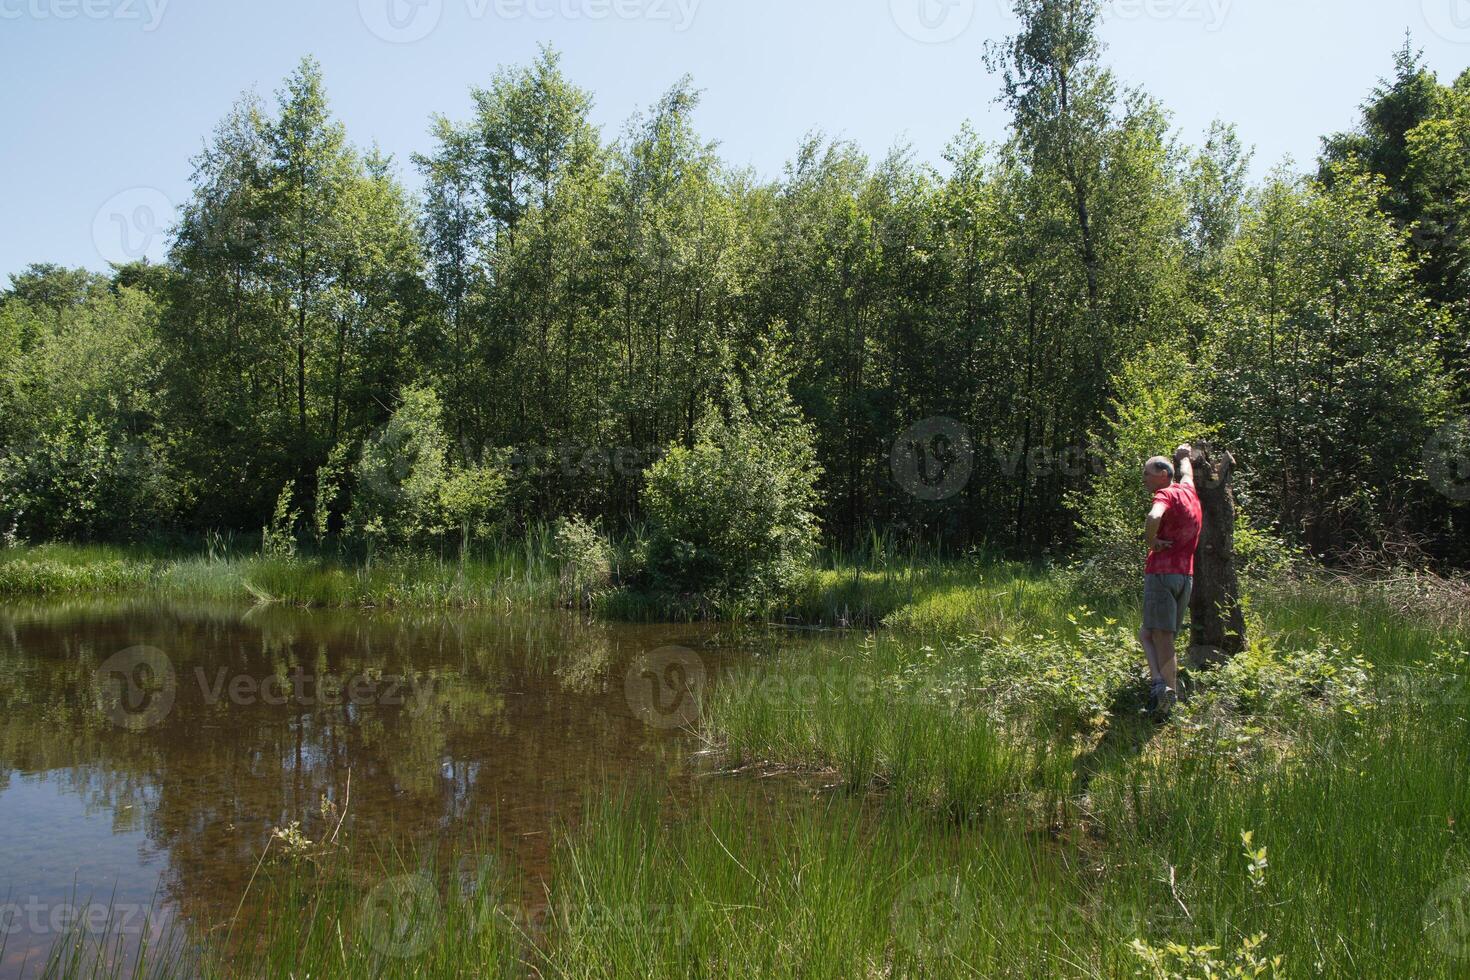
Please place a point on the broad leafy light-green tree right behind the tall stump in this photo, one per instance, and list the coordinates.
(1328, 383)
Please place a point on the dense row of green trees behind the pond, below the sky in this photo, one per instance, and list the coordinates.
(576, 305)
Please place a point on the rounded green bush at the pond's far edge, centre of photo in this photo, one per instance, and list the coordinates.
(731, 518)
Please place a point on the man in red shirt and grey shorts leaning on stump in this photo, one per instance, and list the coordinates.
(1172, 534)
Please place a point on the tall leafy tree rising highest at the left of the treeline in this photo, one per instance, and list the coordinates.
(293, 309)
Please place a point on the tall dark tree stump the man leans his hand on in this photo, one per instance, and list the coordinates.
(1218, 624)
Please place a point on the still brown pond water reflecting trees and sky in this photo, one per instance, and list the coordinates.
(149, 750)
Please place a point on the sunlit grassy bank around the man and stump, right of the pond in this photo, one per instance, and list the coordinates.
(1313, 791)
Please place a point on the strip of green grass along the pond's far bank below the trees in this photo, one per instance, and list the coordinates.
(914, 594)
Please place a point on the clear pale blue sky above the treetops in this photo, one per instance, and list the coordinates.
(107, 101)
